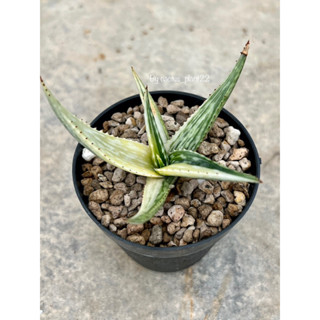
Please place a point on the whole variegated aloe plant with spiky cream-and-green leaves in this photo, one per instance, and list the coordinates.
(164, 159)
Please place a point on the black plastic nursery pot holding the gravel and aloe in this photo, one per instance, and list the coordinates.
(170, 258)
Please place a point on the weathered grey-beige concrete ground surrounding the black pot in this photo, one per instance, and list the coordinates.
(87, 48)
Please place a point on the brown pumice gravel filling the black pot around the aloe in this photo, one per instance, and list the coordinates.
(194, 209)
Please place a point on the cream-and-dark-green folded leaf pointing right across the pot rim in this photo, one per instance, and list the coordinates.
(190, 164)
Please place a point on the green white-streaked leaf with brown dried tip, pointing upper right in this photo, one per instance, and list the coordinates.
(193, 131)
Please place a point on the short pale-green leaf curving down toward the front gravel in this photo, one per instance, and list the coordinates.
(154, 195)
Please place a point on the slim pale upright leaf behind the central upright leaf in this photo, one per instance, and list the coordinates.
(156, 113)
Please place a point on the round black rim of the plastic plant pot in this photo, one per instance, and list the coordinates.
(243, 131)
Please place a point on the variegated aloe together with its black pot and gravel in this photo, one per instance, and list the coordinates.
(168, 152)
